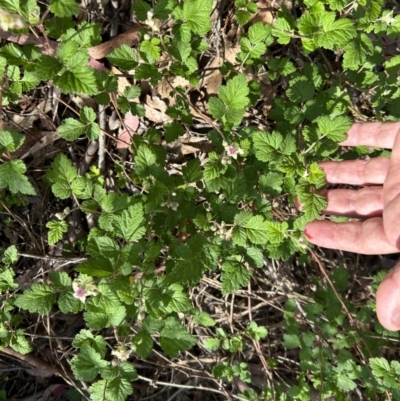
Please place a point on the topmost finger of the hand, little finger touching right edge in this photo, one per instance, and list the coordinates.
(374, 134)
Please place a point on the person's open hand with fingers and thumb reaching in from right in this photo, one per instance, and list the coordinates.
(376, 204)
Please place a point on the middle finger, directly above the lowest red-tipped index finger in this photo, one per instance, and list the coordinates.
(365, 202)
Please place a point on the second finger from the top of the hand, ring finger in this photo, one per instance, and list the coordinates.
(356, 172)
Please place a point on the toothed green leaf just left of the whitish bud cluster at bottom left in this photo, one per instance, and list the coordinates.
(87, 364)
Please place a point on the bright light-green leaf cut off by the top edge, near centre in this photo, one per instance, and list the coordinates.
(197, 15)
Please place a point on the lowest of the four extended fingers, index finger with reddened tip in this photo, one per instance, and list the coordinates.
(366, 237)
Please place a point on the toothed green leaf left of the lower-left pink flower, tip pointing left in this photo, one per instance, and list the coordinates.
(40, 299)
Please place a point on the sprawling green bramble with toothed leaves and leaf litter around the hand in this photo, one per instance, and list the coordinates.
(170, 234)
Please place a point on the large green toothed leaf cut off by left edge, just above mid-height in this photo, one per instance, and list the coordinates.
(12, 177)
